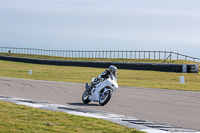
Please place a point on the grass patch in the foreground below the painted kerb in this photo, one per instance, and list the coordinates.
(18, 118)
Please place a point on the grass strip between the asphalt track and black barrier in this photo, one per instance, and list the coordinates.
(147, 79)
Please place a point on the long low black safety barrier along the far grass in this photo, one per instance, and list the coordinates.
(181, 68)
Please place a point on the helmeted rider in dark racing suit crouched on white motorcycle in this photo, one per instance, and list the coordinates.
(112, 70)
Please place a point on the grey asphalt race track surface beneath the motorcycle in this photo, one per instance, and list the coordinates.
(171, 107)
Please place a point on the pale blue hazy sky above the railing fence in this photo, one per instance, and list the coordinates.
(163, 25)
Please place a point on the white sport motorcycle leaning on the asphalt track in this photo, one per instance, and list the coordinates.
(101, 92)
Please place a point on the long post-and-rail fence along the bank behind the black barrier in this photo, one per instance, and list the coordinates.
(161, 55)
